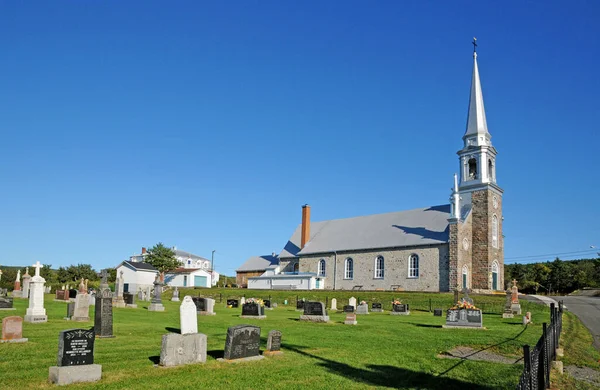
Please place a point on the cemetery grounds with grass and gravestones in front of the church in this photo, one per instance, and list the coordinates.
(177, 347)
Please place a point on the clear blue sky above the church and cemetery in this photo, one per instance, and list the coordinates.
(208, 125)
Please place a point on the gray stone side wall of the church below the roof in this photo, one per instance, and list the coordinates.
(433, 269)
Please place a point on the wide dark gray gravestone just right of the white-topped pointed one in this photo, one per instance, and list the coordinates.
(243, 342)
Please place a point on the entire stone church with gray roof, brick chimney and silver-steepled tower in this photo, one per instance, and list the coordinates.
(435, 248)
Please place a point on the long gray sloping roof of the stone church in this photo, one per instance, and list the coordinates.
(416, 227)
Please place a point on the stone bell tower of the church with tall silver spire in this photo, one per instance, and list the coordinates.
(479, 195)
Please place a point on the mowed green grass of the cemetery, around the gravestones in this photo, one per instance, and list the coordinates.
(381, 351)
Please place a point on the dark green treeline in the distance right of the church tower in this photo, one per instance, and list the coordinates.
(556, 276)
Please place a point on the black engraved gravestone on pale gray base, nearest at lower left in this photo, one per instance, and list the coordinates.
(75, 358)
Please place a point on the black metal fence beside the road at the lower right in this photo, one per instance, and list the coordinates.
(536, 372)
